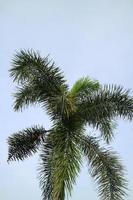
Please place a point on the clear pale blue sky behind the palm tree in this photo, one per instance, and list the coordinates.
(84, 37)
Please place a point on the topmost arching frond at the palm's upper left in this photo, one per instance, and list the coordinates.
(29, 65)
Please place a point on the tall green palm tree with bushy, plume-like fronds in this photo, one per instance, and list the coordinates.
(67, 142)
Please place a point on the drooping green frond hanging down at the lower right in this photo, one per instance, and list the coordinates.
(105, 168)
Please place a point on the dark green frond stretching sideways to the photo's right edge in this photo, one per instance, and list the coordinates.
(111, 101)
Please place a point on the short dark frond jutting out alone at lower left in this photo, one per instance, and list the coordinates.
(24, 143)
